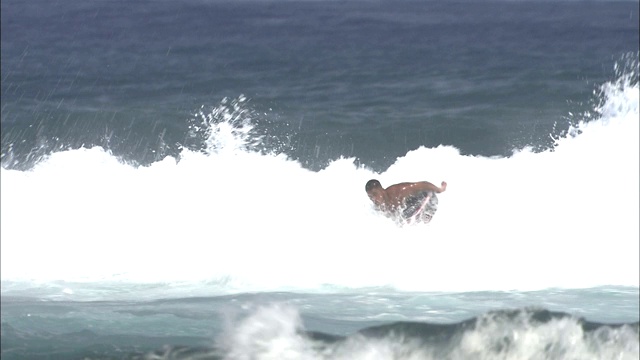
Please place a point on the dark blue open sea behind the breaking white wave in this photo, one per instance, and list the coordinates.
(364, 79)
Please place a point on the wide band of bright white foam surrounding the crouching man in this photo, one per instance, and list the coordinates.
(244, 221)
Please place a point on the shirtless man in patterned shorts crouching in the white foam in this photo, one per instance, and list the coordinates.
(408, 202)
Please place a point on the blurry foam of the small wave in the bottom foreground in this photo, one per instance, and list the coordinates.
(275, 332)
